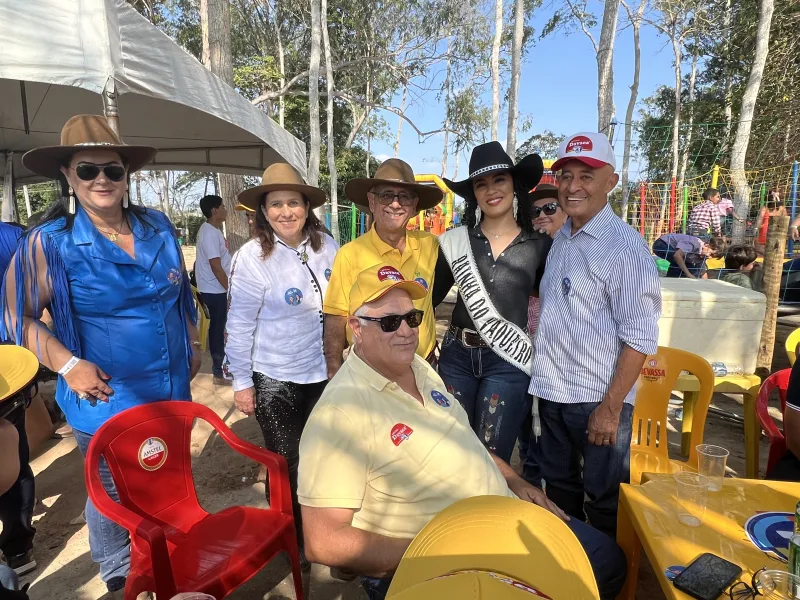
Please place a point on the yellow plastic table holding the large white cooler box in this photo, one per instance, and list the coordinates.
(747, 386)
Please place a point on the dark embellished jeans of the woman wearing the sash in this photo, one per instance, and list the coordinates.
(493, 393)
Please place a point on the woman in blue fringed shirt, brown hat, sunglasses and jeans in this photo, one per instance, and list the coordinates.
(112, 276)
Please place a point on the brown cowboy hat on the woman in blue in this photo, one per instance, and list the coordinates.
(85, 132)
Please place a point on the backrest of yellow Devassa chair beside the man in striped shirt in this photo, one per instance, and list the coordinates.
(655, 385)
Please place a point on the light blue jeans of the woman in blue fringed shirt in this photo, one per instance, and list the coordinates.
(110, 543)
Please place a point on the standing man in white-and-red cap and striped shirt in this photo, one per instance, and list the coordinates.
(600, 304)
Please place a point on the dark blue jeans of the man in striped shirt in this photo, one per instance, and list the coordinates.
(564, 443)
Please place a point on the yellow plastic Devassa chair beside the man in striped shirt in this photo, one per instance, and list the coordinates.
(649, 448)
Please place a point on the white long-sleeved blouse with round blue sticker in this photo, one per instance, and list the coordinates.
(275, 314)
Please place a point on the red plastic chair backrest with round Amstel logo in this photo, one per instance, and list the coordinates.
(148, 450)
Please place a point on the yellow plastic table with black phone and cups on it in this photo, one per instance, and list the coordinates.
(648, 519)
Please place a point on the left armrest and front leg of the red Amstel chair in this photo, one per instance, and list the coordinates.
(151, 533)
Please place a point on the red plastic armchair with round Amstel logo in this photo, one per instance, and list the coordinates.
(176, 546)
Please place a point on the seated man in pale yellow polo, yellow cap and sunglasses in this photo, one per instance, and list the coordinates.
(387, 447)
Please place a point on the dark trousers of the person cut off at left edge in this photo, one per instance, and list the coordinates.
(16, 505)
